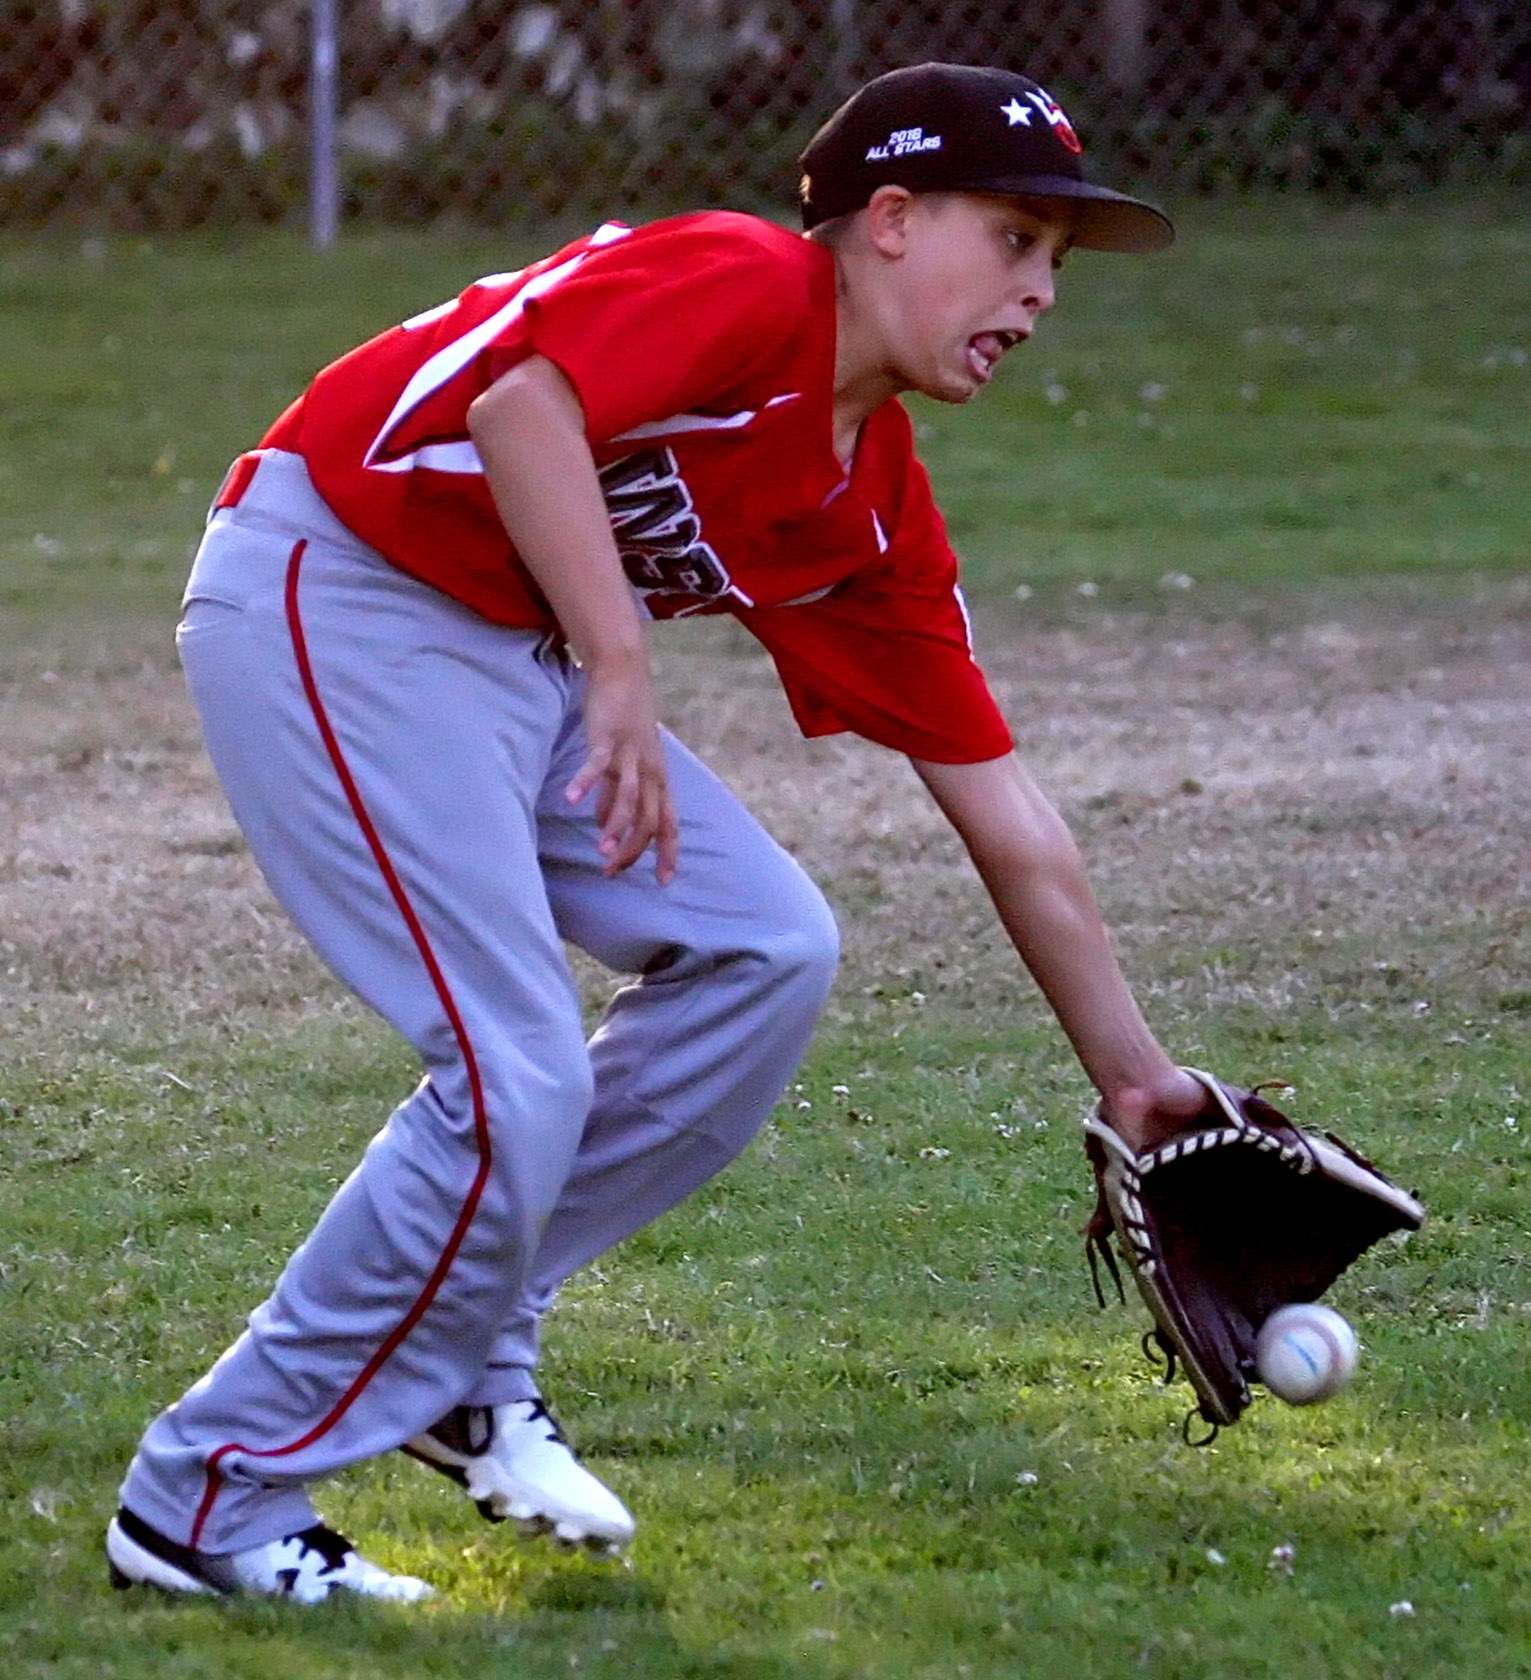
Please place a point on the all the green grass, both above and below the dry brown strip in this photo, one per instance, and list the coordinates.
(858, 1390)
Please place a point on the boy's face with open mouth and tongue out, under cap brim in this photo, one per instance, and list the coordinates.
(974, 278)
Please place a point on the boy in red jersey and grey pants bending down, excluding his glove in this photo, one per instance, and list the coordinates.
(416, 641)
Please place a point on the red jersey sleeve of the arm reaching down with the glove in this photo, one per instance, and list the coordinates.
(888, 654)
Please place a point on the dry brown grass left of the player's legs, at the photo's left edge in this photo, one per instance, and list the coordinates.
(125, 890)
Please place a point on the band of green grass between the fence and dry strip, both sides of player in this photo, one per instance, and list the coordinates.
(1288, 396)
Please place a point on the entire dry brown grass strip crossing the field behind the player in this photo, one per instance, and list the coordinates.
(1251, 804)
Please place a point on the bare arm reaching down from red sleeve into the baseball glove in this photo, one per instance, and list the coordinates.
(1031, 866)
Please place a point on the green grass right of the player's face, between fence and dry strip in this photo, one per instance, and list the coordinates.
(1280, 399)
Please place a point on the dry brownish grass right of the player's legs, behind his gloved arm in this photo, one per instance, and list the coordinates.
(1251, 802)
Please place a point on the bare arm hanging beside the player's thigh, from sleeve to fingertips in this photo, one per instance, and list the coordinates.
(530, 433)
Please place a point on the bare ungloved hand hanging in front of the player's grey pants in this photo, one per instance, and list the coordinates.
(626, 767)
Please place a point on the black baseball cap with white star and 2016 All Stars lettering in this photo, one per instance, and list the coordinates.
(942, 129)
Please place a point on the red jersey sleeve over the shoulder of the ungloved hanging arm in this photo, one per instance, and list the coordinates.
(673, 320)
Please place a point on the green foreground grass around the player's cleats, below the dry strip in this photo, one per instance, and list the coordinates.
(858, 1392)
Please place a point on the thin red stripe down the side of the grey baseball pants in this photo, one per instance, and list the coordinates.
(445, 994)
